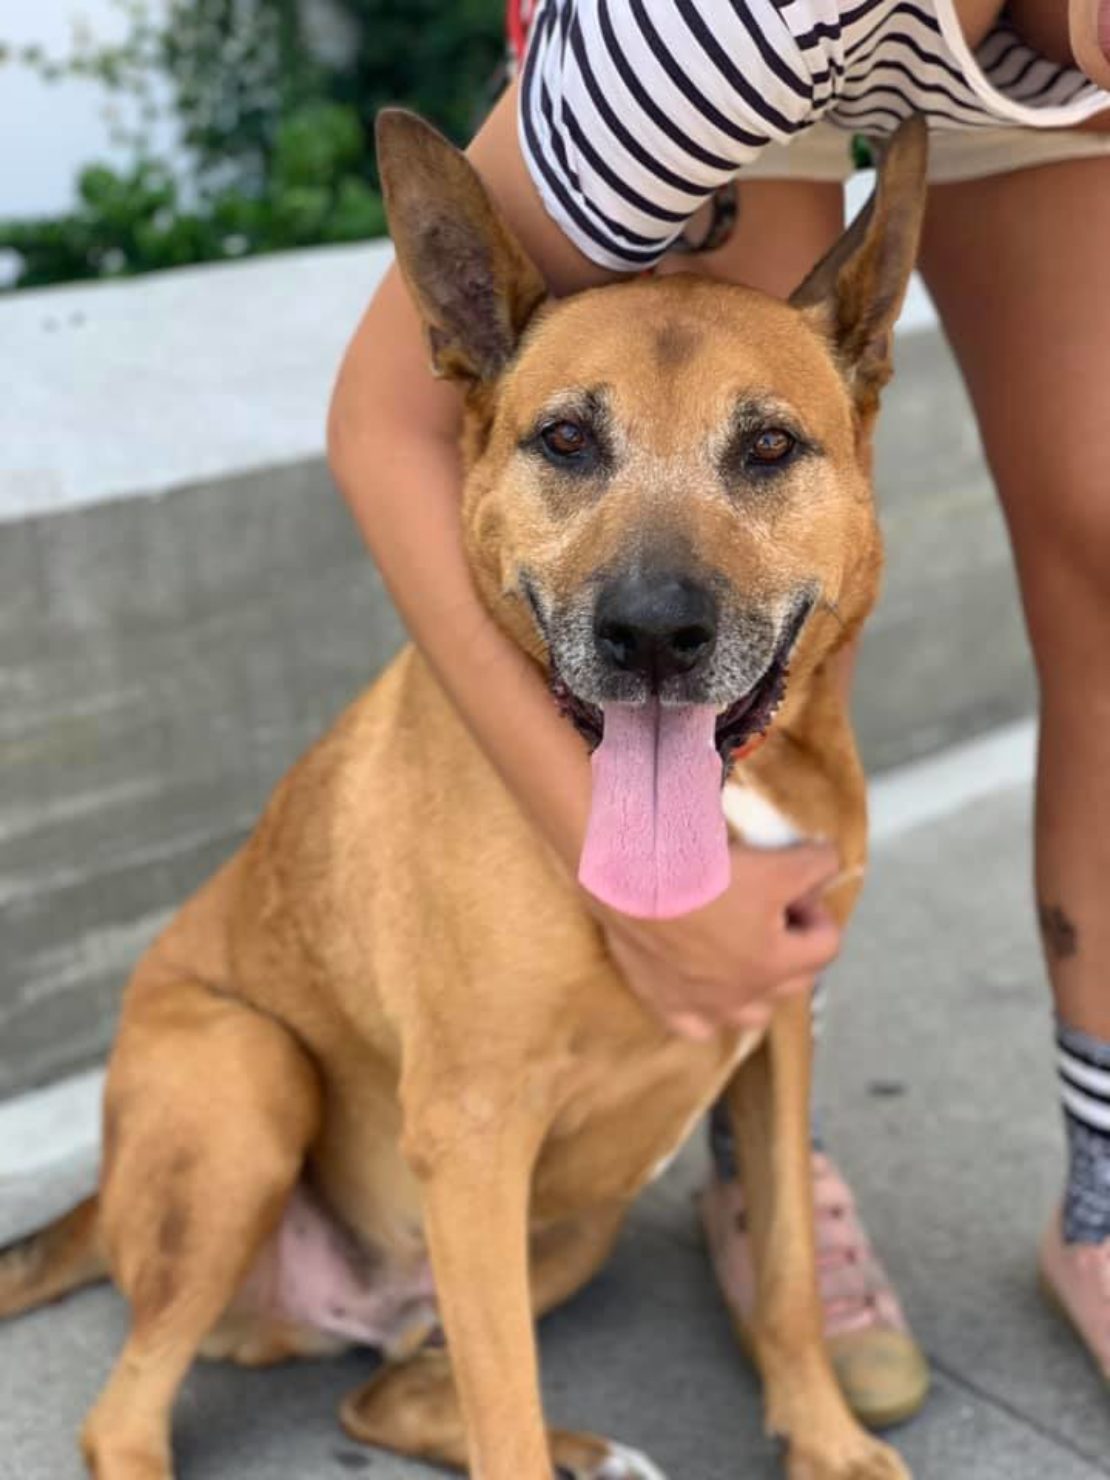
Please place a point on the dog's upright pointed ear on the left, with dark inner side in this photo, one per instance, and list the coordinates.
(468, 275)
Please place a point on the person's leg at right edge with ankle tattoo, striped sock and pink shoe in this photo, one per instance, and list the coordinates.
(1019, 269)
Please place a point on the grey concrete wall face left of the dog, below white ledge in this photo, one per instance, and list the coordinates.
(162, 664)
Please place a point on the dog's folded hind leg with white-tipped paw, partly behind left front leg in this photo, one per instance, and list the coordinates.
(415, 1410)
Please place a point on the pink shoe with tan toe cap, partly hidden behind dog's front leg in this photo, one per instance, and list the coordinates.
(880, 1367)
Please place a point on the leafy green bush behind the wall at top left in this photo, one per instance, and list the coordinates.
(279, 138)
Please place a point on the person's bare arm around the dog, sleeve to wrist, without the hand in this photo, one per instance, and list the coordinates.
(393, 446)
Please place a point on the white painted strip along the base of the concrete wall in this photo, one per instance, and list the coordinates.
(53, 1126)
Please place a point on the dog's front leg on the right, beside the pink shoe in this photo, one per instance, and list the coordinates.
(769, 1102)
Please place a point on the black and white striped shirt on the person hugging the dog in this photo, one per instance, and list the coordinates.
(636, 112)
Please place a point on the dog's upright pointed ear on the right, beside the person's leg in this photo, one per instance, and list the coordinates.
(855, 294)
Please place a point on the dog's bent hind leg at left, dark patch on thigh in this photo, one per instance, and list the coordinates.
(209, 1111)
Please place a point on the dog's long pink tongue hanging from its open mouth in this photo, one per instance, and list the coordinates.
(656, 843)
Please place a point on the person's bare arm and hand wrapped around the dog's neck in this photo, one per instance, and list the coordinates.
(393, 448)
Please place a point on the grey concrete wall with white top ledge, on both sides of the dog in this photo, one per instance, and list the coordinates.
(184, 603)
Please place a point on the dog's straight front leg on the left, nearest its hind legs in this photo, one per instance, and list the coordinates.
(477, 1179)
